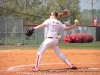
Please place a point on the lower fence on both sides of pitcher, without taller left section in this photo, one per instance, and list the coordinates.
(38, 35)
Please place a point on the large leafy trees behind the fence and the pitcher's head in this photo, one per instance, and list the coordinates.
(36, 11)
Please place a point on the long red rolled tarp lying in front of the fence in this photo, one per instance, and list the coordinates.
(78, 38)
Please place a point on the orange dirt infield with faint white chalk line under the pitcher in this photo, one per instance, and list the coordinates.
(20, 62)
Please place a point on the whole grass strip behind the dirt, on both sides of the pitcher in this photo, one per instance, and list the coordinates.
(91, 46)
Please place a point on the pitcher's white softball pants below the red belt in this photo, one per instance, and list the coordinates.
(50, 42)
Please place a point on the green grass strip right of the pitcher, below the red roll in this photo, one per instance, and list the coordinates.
(93, 45)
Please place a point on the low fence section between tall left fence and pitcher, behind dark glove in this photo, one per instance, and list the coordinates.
(36, 38)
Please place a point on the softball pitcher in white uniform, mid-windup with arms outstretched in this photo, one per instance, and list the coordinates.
(51, 39)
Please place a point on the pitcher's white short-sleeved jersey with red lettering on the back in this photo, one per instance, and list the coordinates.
(52, 27)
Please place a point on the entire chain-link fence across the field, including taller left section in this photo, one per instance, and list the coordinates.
(12, 32)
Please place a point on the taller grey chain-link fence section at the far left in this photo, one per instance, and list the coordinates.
(11, 30)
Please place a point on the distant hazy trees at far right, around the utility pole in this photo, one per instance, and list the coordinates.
(86, 16)
